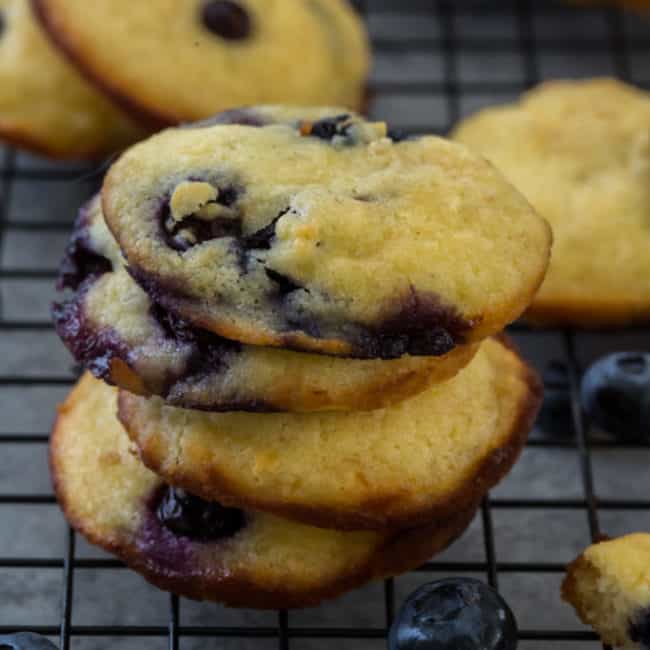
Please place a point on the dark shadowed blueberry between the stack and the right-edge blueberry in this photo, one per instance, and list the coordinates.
(555, 417)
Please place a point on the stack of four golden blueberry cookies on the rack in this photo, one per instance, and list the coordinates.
(295, 310)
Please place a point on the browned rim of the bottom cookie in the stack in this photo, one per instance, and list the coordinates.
(401, 551)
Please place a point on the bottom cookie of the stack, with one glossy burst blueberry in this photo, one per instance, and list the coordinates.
(205, 550)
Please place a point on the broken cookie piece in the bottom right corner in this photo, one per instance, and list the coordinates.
(609, 586)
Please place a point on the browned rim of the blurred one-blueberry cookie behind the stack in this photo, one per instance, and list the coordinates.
(143, 113)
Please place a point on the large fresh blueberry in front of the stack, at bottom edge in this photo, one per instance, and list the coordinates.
(454, 614)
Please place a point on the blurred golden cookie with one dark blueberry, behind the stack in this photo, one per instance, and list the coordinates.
(182, 61)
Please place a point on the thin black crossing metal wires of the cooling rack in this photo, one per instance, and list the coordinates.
(446, 46)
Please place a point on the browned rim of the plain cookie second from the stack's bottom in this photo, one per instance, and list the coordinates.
(377, 514)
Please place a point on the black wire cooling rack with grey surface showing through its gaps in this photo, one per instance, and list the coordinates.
(436, 61)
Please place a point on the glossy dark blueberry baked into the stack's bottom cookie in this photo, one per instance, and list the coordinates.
(190, 516)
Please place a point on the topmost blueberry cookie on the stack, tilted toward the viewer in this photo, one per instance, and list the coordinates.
(327, 236)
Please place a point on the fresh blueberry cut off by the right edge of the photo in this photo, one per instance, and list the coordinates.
(616, 395)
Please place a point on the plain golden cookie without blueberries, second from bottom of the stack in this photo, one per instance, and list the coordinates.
(426, 457)
